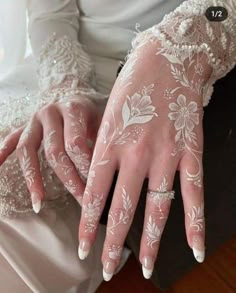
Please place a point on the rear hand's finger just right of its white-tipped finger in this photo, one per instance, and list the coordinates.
(56, 154)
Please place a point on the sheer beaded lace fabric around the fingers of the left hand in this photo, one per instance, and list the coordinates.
(15, 198)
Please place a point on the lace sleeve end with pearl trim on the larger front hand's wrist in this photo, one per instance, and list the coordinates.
(186, 31)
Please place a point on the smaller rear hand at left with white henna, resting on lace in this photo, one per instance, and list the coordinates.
(64, 129)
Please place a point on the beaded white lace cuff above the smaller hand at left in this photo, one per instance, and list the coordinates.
(60, 58)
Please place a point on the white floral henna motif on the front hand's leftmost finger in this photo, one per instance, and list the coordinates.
(92, 212)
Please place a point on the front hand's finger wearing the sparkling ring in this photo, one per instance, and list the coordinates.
(161, 177)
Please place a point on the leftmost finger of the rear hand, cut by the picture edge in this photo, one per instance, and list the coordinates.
(8, 145)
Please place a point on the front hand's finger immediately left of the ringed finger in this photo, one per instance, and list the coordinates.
(124, 203)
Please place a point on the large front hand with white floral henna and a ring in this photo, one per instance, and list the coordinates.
(152, 127)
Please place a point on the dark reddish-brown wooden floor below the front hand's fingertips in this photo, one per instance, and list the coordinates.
(216, 275)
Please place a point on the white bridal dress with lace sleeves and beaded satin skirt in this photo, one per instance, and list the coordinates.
(38, 252)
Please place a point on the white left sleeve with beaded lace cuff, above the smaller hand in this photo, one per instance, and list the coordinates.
(53, 31)
